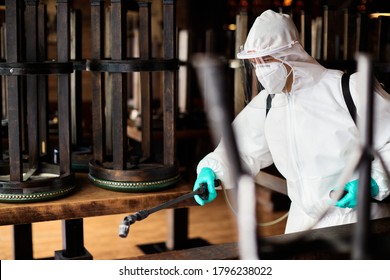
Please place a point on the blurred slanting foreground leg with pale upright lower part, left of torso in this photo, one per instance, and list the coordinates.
(209, 70)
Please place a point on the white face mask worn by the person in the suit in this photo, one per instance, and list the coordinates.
(272, 76)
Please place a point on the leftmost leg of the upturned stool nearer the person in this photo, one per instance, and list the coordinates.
(98, 101)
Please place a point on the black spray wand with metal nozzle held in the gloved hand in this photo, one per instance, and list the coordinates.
(124, 227)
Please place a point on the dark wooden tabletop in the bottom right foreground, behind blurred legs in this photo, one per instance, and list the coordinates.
(323, 243)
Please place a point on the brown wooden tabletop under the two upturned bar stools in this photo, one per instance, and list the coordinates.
(89, 200)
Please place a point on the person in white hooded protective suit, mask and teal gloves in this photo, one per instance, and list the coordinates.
(308, 133)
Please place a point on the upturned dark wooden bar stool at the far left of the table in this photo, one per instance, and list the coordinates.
(28, 172)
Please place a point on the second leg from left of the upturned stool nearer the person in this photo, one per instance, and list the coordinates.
(119, 112)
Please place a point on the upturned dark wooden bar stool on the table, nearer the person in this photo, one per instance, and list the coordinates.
(120, 169)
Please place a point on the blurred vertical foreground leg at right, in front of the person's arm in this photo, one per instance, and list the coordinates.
(362, 227)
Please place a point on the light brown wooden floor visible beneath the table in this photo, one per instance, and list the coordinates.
(214, 223)
